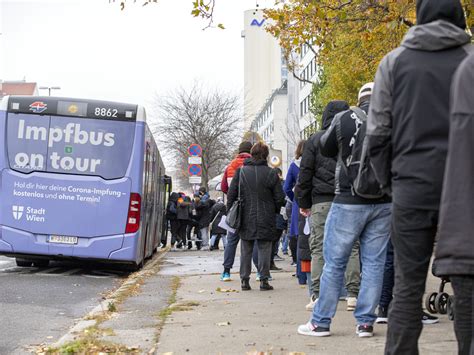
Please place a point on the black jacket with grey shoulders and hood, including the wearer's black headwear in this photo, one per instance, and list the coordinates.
(408, 122)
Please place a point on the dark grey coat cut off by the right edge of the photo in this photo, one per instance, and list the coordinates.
(455, 248)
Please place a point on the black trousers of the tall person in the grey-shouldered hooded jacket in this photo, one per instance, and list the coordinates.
(413, 235)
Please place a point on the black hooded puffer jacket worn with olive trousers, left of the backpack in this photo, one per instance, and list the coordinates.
(316, 178)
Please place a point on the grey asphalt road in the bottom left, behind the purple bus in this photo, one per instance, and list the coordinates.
(39, 305)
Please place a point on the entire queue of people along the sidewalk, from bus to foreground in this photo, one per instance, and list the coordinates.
(367, 196)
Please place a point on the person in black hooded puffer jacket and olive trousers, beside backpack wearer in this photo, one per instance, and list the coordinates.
(314, 194)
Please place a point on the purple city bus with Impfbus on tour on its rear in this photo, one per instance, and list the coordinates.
(80, 179)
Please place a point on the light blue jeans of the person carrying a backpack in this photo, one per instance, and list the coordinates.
(345, 224)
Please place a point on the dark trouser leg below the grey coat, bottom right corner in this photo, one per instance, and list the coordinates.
(463, 287)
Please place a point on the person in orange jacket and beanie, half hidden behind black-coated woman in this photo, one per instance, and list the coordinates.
(233, 238)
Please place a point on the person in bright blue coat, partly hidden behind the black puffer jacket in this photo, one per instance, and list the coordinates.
(290, 183)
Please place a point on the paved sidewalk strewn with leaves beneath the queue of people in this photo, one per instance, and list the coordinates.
(207, 316)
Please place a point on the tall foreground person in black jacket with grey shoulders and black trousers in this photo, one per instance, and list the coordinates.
(407, 130)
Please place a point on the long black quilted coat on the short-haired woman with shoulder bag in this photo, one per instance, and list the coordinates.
(262, 197)
